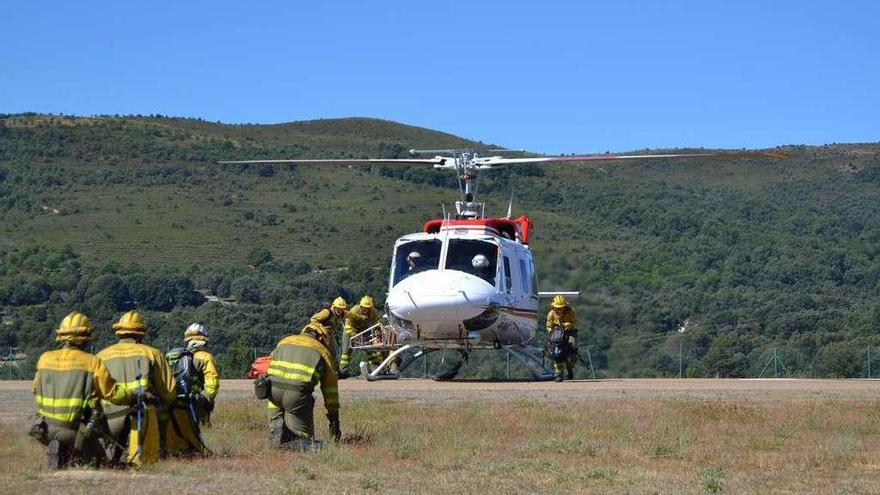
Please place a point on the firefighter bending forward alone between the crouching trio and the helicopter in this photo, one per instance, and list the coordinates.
(297, 364)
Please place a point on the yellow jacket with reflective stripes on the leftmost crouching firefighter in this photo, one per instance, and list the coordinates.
(67, 381)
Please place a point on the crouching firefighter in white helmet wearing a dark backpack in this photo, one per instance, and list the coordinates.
(196, 378)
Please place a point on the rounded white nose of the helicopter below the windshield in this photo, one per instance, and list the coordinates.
(437, 295)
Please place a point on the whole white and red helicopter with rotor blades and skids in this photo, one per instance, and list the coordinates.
(466, 281)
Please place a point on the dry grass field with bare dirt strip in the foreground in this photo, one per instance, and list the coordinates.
(614, 436)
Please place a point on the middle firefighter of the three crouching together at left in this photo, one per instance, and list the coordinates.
(146, 376)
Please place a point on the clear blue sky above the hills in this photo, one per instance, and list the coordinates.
(552, 77)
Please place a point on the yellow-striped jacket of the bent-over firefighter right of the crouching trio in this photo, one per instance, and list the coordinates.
(300, 362)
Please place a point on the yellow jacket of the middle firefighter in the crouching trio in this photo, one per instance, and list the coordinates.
(123, 359)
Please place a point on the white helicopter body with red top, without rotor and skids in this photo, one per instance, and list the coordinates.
(472, 284)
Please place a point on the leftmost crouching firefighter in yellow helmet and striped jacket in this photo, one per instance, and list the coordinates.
(67, 387)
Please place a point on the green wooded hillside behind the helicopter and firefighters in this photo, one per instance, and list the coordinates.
(109, 213)
